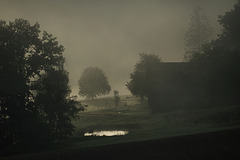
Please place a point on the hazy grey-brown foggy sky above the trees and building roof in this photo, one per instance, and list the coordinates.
(110, 34)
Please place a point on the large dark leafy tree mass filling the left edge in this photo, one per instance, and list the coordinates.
(28, 60)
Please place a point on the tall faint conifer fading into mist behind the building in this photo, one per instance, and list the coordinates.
(198, 33)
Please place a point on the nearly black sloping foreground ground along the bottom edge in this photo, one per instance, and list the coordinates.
(218, 145)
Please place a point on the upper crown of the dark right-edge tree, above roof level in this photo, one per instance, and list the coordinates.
(226, 47)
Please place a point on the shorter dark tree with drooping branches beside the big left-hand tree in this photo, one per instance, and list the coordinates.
(57, 107)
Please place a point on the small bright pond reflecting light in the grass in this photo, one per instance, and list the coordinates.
(106, 133)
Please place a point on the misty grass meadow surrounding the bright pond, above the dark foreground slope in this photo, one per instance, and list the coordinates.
(134, 116)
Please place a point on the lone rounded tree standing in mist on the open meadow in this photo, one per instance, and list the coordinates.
(93, 83)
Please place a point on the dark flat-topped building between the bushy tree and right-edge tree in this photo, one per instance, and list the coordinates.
(186, 85)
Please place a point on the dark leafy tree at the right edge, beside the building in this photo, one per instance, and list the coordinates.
(222, 57)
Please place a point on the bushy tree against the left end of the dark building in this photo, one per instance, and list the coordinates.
(139, 83)
